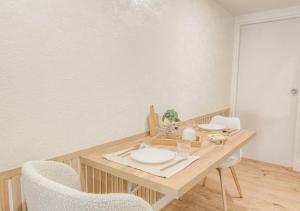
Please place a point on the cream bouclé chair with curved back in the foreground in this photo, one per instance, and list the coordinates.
(54, 186)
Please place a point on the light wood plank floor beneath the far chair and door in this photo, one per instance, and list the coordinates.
(265, 188)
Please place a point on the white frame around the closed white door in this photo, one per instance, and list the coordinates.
(256, 18)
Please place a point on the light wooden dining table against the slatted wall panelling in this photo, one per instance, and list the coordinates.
(174, 187)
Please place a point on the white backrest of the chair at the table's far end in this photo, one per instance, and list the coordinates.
(229, 122)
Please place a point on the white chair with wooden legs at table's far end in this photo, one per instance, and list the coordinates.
(234, 159)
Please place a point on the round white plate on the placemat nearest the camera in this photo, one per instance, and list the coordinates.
(151, 155)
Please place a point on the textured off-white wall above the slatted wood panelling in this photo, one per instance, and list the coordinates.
(78, 73)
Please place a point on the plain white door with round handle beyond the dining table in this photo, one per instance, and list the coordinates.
(269, 72)
